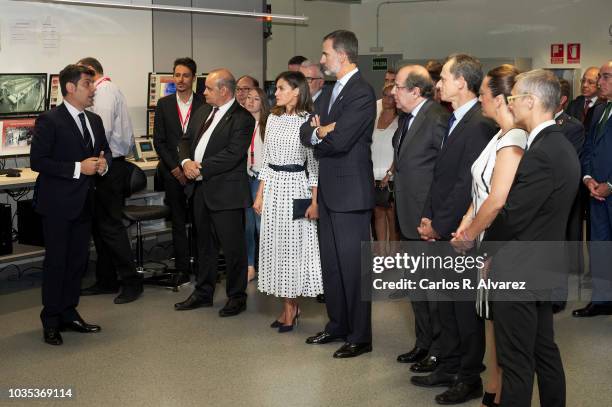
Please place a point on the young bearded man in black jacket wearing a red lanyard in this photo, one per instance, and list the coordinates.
(172, 119)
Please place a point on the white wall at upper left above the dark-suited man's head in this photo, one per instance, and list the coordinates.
(119, 39)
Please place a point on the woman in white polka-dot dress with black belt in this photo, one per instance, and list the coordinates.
(289, 262)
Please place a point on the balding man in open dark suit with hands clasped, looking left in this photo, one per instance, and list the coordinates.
(214, 158)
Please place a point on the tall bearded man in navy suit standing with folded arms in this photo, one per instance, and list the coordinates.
(341, 134)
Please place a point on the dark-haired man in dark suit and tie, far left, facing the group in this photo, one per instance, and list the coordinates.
(69, 149)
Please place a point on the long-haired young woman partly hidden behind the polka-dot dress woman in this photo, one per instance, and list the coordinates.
(256, 103)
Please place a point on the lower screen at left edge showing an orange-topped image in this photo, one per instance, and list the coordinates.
(16, 135)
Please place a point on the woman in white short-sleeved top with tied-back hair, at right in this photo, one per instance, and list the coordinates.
(492, 176)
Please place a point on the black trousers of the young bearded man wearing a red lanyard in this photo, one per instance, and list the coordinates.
(179, 210)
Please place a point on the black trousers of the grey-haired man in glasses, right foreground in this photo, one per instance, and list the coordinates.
(525, 343)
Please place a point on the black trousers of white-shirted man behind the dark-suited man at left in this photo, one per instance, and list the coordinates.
(114, 252)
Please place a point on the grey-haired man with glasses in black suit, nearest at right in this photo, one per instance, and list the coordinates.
(537, 209)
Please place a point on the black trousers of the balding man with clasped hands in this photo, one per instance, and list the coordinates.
(224, 229)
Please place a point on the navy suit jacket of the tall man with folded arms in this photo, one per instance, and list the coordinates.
(346, 177)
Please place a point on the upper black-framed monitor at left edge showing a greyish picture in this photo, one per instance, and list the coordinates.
(22, 93)
